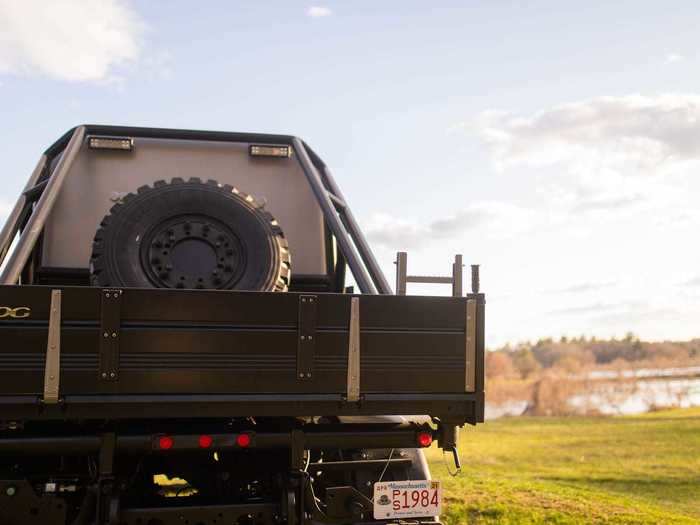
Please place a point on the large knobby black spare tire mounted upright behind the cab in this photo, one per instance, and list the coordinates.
(190, 235)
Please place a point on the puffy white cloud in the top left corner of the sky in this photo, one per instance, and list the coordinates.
(67, 39)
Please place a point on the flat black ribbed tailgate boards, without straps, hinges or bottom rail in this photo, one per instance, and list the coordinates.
(212, 342)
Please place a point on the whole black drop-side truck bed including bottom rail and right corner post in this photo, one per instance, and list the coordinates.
(135, 353)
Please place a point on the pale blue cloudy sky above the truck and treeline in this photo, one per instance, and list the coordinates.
(556, 144)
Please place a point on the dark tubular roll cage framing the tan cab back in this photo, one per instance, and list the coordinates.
(34, 205)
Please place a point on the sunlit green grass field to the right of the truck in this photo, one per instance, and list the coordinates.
(643, 469)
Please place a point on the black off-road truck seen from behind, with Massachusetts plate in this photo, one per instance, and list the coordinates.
(178, 343)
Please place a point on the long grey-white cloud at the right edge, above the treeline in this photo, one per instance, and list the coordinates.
(645, 130)
